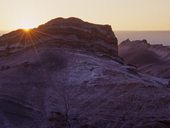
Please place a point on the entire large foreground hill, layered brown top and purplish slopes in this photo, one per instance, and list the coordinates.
(66, 74)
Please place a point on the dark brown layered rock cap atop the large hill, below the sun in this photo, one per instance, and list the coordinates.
(69, 33)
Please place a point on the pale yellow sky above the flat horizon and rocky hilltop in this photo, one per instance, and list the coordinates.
(121, 14)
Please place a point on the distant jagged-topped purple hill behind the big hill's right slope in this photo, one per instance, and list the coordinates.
(150, 59)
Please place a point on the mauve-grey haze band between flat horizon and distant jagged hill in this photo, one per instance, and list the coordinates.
(153, 37)
